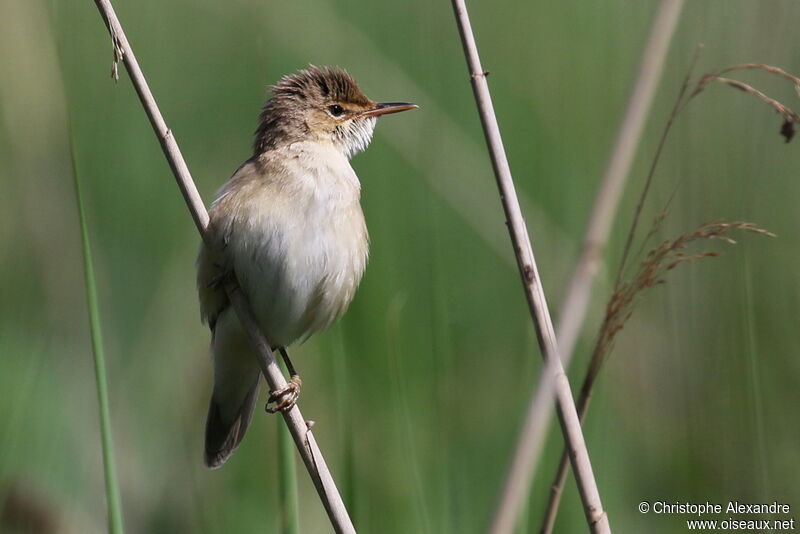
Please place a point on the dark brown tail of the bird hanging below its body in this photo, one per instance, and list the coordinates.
(236, 384)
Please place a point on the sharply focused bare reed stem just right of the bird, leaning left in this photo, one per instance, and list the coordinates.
(534, 293)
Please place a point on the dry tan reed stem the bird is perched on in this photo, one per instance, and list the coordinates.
(303, 438)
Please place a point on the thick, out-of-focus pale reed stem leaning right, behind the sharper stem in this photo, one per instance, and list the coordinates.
(573, 313)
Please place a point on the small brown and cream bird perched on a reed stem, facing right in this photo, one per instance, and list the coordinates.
(289, 228)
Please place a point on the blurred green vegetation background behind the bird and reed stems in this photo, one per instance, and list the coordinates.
(418, 393)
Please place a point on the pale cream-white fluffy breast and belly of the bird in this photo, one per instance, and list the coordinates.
(303, 250)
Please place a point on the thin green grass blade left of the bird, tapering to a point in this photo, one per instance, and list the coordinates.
(114, 508)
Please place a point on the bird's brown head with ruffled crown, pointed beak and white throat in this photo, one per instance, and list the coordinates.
(320, 104)
